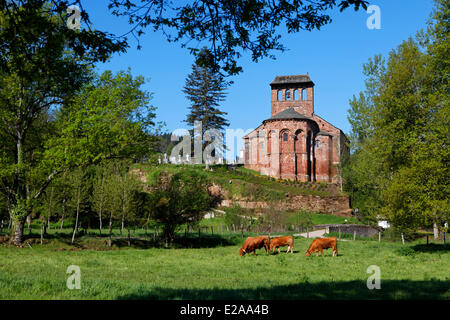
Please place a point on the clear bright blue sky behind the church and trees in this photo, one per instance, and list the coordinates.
(333, 57)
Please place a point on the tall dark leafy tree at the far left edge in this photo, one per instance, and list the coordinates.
(42, 64)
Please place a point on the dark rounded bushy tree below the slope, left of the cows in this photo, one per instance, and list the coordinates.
(179, 198)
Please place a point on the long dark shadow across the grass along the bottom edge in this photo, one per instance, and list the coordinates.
(339, 290)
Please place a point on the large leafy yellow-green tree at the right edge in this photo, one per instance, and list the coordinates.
(400, 128)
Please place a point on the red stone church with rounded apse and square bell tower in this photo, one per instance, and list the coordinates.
(294, 143)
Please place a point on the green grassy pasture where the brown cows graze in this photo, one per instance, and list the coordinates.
(212, 269)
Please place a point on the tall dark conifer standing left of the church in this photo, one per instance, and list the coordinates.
(205, 89)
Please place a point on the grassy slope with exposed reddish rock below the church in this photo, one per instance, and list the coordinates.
(249, 189)
